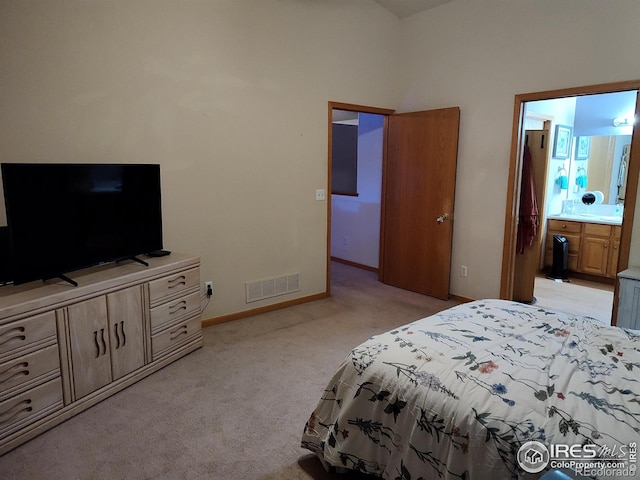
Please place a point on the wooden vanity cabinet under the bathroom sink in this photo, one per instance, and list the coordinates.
(593, 247)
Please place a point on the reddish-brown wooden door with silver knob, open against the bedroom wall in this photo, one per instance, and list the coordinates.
(419, 189)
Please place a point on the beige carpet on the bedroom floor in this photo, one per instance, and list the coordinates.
(234, 409)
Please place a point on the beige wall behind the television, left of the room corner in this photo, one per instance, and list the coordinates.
(229, 96)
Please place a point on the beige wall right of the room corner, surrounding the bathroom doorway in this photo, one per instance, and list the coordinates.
(478, 55)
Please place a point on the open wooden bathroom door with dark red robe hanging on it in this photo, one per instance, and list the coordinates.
(527, 264)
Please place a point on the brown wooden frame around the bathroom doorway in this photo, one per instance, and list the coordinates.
(515, 175)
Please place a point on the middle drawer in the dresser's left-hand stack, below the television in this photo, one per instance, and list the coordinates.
(26, 369)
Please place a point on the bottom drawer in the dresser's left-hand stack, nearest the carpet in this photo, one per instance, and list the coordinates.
(29, 406)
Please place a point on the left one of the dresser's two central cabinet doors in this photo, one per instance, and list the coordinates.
(89, 339)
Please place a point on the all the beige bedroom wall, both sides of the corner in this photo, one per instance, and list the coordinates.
(230, 97)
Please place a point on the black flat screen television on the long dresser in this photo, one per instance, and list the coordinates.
(64, 217)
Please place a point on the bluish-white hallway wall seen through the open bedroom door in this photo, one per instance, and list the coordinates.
(355, 221)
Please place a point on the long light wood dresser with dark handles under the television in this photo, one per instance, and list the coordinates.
(64, 348)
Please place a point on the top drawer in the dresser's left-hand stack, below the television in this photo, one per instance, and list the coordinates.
(22, 333)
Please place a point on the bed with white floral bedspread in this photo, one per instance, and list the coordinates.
(457, 394)
